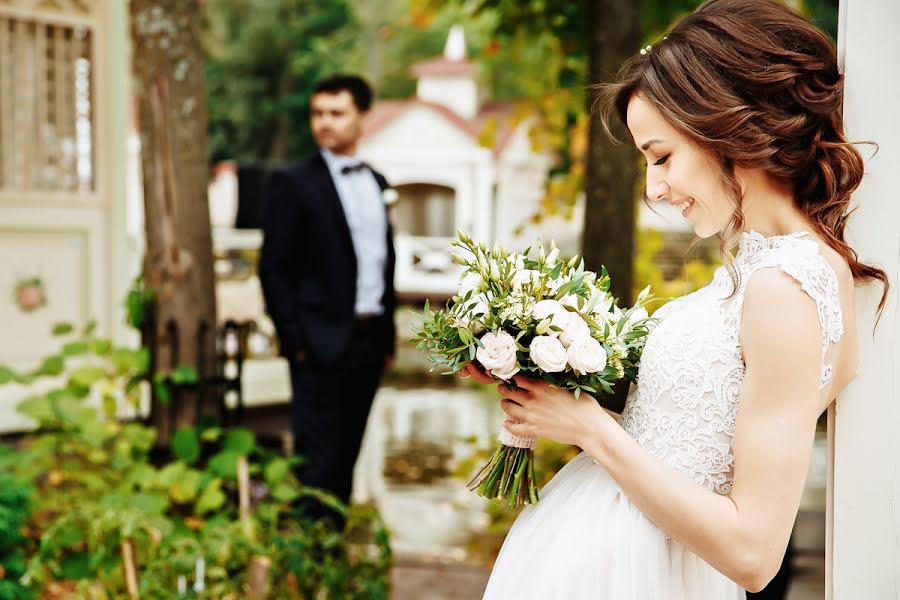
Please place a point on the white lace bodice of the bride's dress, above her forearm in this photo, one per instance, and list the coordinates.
(684, 406)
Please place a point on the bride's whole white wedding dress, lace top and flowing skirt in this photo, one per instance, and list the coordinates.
(585, 539)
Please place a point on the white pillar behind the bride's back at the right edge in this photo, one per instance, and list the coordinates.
(864, 553)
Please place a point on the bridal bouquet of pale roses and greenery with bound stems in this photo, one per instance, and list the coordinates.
(543, 316)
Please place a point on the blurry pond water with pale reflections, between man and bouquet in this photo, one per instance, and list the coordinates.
(413, 442)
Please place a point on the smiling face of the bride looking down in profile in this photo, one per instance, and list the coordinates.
(678, 171)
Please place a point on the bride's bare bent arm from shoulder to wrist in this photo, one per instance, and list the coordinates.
(743, 535)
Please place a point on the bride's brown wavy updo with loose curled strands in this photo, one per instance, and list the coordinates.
(755, 84)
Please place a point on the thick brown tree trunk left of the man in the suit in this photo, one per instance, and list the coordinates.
(171, 96)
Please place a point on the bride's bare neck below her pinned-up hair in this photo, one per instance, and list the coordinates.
(769, 207)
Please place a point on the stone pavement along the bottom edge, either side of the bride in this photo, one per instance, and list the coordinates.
(422, 579)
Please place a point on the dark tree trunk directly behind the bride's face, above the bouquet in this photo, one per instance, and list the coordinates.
(612, 171)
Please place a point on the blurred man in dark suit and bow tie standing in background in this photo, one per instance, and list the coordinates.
(327, 274)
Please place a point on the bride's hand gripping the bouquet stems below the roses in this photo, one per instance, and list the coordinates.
(538, 408)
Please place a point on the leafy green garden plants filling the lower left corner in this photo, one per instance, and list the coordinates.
(84, 483)
